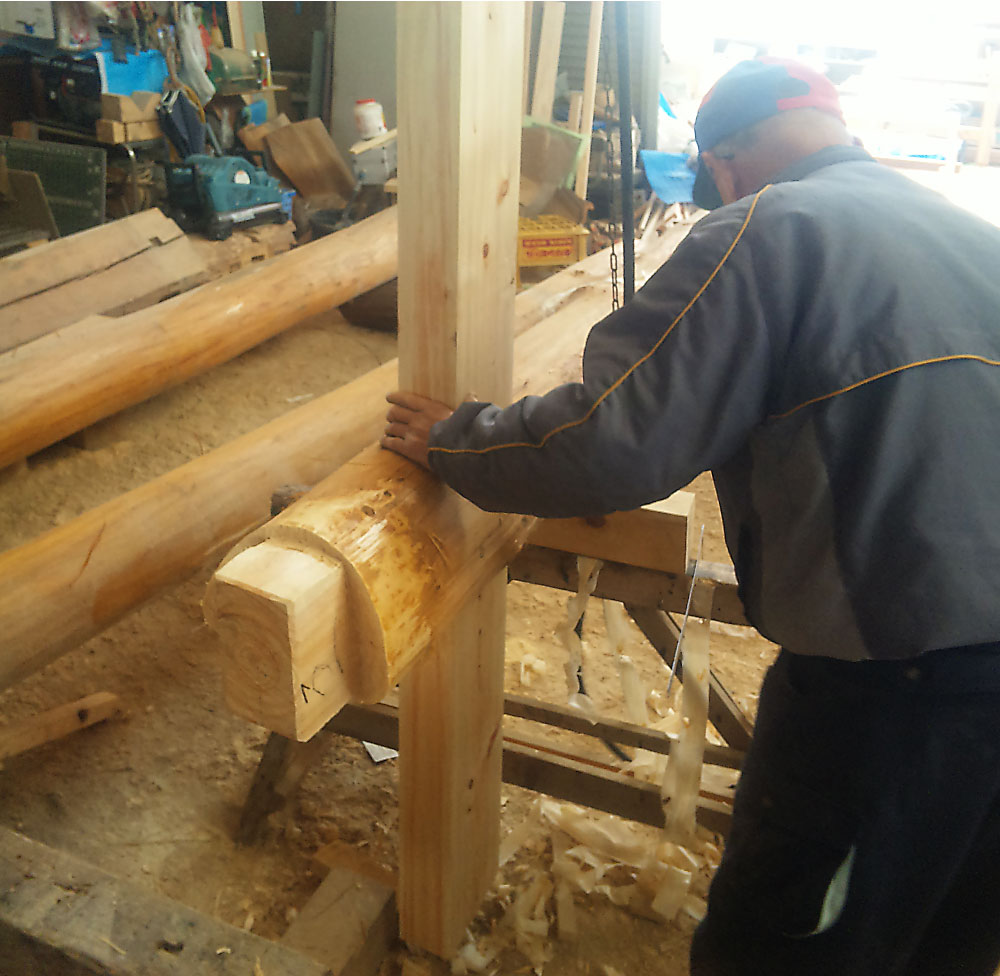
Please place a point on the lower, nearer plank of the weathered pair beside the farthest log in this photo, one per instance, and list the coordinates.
(135, 282)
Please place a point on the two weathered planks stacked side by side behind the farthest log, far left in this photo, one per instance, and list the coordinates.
(112, 269)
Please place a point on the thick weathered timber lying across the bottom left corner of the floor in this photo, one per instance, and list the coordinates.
(59, 914)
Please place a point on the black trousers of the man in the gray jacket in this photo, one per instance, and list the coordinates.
(866, 827)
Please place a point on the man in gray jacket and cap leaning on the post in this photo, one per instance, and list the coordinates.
(827, 342)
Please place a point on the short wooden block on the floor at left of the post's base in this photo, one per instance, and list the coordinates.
(350, 924)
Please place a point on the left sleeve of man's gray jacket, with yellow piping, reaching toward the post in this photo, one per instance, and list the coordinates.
(672, 385)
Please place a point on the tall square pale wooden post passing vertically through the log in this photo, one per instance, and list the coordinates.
(458, 75)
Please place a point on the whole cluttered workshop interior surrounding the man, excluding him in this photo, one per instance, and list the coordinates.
(239, 732)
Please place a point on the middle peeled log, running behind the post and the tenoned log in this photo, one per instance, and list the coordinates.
(97, 567)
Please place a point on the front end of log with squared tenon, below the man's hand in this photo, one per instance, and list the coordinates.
(410, 552)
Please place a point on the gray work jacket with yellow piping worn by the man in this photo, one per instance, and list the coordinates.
(828, 348)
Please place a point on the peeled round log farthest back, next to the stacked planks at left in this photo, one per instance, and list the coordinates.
(64, 381)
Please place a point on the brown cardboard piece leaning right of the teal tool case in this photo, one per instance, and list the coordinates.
(306, 154)
